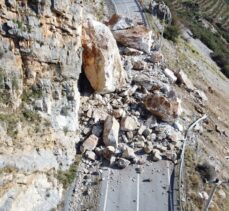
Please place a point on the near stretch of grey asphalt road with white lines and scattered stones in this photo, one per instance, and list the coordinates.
(126, 190)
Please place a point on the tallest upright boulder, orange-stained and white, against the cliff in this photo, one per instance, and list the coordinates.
(101, 59)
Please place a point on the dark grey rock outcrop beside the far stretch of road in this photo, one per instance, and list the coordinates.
(160, 10)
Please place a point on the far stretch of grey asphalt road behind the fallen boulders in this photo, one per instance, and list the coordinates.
(129, 8)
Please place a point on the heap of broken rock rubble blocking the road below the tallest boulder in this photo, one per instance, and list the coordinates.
(138, 118)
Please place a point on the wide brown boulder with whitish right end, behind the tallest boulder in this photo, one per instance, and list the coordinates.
(138, 37)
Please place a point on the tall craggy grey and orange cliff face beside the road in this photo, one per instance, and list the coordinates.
(40, 62)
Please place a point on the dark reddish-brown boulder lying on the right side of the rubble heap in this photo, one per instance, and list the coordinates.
(165, 107)
